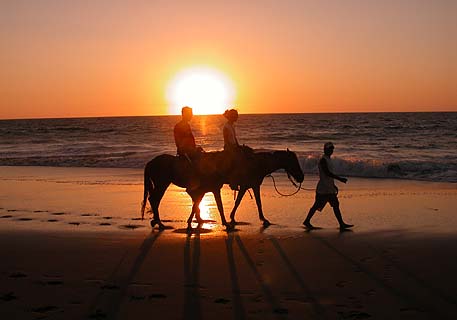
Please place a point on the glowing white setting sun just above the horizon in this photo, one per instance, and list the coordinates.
(206, 90)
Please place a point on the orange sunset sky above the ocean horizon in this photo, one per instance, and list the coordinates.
(111, 58)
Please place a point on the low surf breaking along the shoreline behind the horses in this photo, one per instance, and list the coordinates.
(350, 167)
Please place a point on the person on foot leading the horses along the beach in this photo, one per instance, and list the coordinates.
(326, 190)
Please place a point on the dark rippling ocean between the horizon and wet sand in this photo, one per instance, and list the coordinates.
(419, 146)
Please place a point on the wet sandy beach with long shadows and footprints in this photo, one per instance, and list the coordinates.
(72, 246)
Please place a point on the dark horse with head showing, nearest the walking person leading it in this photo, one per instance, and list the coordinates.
(260, 165)
